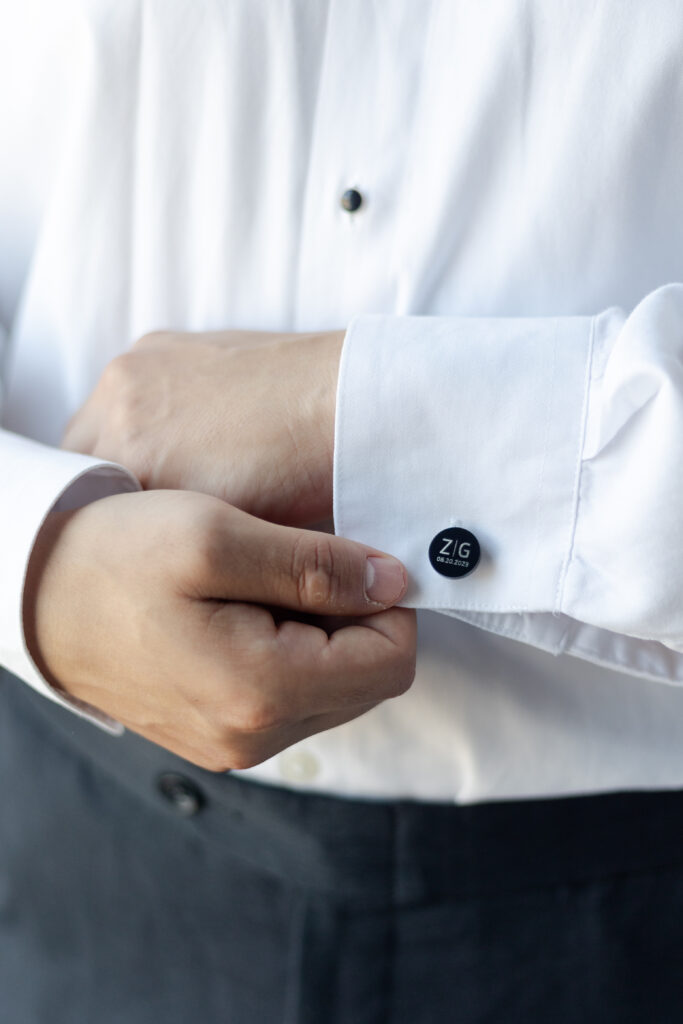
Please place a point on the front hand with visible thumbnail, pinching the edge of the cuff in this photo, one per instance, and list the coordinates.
(147, 607)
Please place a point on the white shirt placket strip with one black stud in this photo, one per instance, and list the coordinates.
(360, 151)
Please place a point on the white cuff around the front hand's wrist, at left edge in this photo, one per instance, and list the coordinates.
(37, 481)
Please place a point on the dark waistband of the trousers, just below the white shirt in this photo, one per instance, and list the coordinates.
(376, 852)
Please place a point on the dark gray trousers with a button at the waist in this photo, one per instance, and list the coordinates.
(137, 888)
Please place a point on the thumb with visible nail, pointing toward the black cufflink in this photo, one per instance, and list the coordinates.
(301, 570)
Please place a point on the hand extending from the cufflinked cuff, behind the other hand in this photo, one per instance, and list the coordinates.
(251, 425)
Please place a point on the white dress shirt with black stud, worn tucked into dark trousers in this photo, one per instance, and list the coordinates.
(514, 363)
